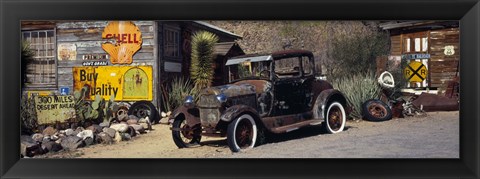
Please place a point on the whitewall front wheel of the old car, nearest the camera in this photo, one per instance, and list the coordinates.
(242, 133)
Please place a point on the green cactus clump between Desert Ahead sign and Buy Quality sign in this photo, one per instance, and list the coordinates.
(96, 110)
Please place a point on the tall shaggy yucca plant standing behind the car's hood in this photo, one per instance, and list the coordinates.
(201, 71)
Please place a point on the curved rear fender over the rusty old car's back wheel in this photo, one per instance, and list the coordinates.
(326, 97)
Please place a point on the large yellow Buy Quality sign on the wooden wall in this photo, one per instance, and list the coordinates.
(126, 83)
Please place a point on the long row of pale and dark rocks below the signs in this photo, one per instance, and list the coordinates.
(54, 140)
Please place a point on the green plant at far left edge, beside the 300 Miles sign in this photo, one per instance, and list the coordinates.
(28, 114)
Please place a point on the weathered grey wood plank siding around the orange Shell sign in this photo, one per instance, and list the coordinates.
(87, 37)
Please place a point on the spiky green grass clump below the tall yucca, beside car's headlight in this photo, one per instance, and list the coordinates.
(174, 94)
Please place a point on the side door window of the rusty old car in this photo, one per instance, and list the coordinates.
(287, 67)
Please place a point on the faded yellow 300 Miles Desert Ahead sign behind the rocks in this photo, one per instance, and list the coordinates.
(51, 109)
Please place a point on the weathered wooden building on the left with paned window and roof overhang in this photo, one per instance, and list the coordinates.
(61, 46)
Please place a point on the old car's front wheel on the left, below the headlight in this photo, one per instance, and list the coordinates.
(186, 136)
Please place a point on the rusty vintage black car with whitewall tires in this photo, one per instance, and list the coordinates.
(272, 93)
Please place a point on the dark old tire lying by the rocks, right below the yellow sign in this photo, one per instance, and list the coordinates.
(143, 109)
